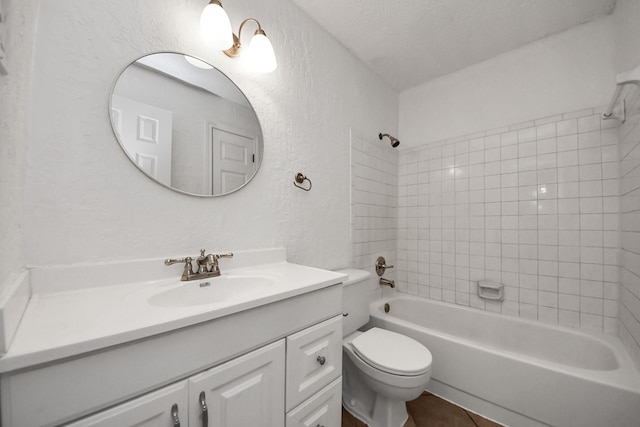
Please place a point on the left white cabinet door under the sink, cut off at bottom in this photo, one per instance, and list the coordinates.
(166, 407)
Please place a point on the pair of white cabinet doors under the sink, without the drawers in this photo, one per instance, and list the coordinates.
(246, 391)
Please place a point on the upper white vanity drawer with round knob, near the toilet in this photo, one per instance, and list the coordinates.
(314, 359)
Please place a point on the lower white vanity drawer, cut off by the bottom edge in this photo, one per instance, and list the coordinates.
(324, 409)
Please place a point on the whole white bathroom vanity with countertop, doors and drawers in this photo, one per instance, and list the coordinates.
(123, 354)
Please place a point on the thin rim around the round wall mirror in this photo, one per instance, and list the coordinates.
(258, 162)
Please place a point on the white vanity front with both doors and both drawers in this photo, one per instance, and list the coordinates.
(249, 390)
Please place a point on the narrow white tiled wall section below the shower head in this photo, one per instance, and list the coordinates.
(374, 201)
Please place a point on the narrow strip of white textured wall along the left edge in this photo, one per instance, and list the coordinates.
(14, 93)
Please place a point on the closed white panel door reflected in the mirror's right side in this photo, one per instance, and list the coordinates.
(233, 158)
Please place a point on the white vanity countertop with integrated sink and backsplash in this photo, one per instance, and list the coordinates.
(136, 300)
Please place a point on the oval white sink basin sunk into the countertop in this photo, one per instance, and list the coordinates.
(210, 291)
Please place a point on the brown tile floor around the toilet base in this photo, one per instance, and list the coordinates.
(431, 411)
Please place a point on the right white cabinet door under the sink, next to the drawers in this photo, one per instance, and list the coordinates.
(244, 392)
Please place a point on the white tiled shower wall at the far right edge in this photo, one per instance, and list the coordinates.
(629, 134)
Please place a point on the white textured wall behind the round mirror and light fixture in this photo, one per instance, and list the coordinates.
(86, 202)
